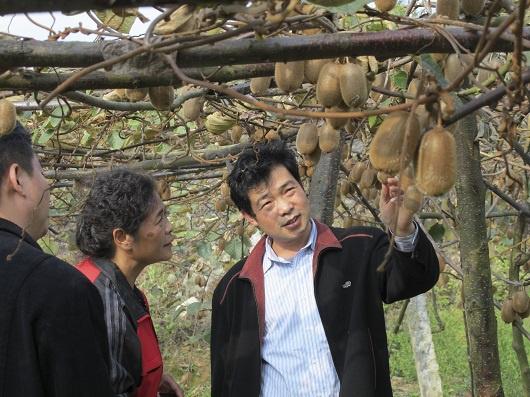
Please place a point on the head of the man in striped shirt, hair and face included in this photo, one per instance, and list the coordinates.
(265, 185)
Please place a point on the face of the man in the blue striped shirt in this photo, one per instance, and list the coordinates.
(281, 209)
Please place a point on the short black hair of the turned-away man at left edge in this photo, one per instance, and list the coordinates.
(15, 148)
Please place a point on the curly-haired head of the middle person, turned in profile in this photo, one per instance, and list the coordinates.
(123, 214)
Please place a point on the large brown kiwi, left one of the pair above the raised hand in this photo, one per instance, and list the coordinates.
(386, 148)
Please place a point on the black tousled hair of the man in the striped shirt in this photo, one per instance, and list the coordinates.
(254, 167)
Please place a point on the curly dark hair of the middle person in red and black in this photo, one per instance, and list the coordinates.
(119, 199)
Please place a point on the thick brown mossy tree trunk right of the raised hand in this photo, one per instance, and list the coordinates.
(474, 254)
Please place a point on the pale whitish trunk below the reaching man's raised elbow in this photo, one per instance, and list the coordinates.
(423, 348)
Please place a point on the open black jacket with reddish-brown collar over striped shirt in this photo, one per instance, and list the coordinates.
(349, 292)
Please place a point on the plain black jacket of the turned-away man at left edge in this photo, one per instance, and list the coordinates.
(53, 339)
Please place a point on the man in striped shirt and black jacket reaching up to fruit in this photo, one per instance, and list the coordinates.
(302, 315)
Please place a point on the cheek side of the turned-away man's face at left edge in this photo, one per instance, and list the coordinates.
(37, 192)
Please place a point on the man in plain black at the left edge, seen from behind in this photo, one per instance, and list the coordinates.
(53, 340)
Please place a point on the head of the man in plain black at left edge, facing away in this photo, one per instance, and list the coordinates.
(24, 191)
